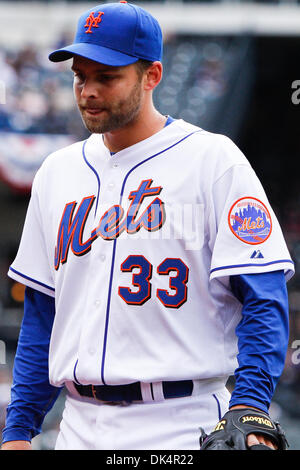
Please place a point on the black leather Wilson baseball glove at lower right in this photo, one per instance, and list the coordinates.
(232, 430)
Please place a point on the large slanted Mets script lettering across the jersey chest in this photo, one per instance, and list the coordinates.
(113, 222)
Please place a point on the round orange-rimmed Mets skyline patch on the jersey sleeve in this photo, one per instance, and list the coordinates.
(250, 221)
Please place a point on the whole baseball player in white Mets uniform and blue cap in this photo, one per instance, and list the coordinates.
(154, 268)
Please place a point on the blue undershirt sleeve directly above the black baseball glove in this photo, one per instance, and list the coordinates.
(263, 334)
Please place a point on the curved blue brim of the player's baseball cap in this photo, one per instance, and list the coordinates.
(93, 52)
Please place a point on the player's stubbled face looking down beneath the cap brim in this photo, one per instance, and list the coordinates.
(108, 98)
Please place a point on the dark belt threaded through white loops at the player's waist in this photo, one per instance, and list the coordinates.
(132, 392)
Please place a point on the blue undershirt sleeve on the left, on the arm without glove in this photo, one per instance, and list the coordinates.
(32, 396)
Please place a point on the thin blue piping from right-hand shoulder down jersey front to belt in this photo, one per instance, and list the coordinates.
(115, 245)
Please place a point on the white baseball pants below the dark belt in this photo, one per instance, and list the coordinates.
(168, 424)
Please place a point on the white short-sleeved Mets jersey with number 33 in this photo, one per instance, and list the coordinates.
(137, 249)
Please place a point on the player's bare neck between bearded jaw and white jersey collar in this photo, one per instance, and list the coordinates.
(147, 124)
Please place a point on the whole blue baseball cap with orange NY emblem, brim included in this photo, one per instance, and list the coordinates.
(115, 34)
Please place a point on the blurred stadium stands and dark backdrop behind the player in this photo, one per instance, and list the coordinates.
(230, 67)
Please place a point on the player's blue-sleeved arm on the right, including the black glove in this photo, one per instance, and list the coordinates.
(262, 344)
